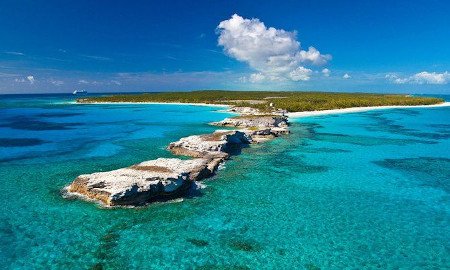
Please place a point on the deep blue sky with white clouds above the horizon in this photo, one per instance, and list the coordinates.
(56, 46)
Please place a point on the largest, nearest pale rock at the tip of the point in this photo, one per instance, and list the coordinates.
(144, 182)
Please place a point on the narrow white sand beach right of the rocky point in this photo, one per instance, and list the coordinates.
(360, 109)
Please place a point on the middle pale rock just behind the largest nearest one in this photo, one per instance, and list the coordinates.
(219, 144)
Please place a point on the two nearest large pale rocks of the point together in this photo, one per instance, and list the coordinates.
(162, 178)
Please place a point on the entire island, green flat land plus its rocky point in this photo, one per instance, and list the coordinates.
(262, 116)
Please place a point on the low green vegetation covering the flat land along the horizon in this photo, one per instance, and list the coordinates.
(290, 101)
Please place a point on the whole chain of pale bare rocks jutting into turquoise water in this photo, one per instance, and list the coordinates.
(168, 178)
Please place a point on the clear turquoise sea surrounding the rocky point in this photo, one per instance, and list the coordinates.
(366, 190)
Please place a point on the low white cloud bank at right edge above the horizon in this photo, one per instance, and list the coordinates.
(423, 77)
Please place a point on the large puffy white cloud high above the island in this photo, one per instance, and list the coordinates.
(275, 54)
